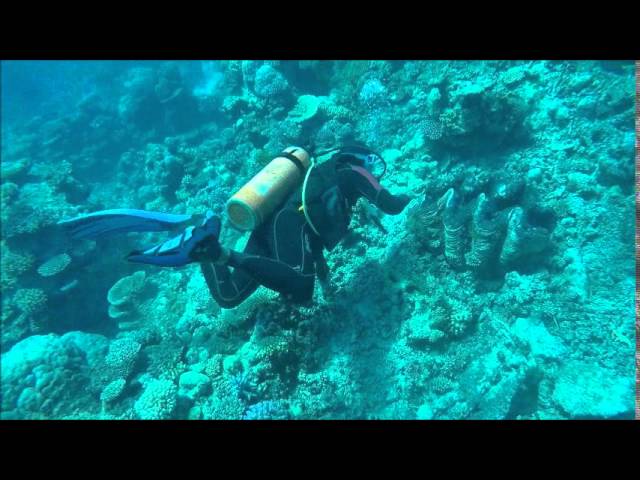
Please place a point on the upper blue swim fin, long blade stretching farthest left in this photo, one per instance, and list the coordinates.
(121, 220)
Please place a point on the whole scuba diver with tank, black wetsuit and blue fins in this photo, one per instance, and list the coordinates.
(295, 209)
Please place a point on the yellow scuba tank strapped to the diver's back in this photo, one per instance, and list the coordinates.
(260, 196)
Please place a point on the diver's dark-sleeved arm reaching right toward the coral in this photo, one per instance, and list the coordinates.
(359, 180)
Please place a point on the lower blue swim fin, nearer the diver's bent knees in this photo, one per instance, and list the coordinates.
(192, 245)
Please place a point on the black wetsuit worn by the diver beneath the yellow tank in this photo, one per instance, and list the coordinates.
(285, 253)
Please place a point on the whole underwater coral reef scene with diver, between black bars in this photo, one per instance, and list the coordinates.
(315, 239)
